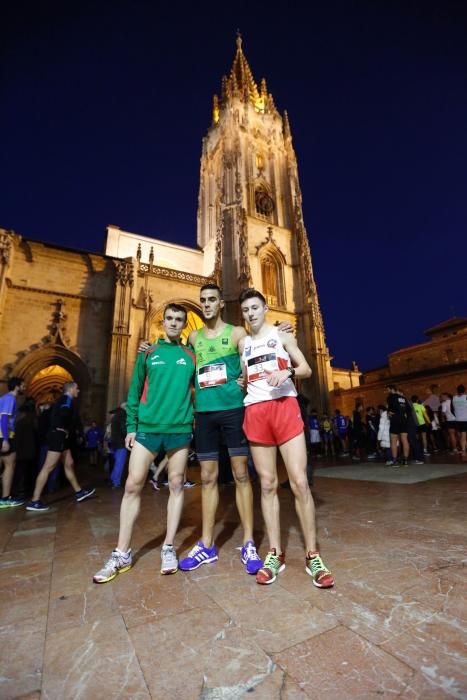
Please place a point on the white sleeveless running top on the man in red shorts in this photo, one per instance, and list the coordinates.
(262, 356)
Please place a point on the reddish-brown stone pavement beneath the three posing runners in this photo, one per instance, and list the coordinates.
(393, 626)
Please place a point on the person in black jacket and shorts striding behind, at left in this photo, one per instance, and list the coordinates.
(65, 428)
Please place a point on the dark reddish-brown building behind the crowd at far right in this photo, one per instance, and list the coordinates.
(442, 360)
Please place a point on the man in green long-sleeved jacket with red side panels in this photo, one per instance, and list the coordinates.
(159, 417)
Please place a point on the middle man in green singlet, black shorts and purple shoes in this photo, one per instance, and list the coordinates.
(219, 412)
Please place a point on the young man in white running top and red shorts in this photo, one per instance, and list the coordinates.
(273, 421)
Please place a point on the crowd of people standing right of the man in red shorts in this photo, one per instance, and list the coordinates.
(403, 429)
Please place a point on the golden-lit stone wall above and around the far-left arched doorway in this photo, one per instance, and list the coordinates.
(56, 308)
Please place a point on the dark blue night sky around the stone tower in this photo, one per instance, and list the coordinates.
(104, 105)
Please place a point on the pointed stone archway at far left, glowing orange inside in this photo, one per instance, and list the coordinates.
(46, 369)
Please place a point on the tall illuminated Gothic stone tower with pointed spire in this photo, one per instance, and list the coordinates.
(250, 220)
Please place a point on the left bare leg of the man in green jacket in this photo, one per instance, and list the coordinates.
(140, 459)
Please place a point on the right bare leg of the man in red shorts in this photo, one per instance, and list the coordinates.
(294, 455)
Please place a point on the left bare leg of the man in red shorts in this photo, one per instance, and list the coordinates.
(265, 459)
